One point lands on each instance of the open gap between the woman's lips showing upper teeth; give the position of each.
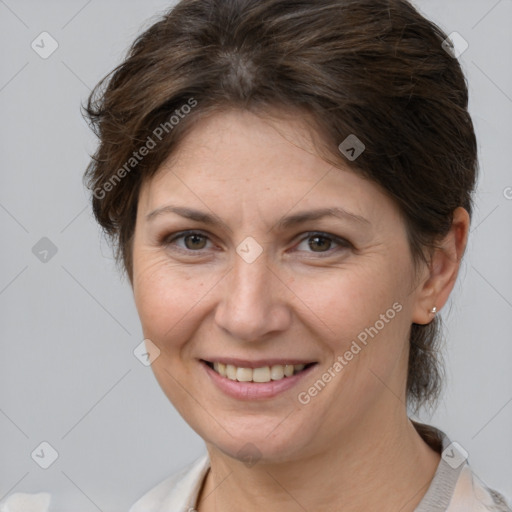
(261, 374)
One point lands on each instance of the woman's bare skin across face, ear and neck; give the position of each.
(296, 300)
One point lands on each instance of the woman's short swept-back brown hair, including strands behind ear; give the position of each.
(373, 68)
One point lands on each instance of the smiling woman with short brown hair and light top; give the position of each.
(289, 187)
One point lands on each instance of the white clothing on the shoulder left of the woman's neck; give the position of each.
(176, 492)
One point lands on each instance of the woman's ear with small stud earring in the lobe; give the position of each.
(439, 278)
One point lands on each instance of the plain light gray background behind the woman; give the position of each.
(68, 375)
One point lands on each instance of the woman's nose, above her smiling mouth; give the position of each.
(254, 301)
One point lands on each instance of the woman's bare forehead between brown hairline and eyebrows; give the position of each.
(238, 158)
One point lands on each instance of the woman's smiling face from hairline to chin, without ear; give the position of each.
(256, 285)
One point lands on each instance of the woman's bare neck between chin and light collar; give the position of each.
(387, 467)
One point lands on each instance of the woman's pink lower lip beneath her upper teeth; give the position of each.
(254, 390)
